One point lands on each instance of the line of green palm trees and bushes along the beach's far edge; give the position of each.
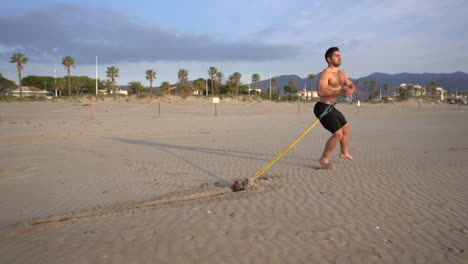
(215, 84)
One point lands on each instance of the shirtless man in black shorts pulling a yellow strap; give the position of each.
(332, 83)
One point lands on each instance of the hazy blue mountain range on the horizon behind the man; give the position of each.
(457, 81)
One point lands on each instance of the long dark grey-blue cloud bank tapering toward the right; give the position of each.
(83, 32)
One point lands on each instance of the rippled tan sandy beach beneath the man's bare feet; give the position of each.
(147, 181)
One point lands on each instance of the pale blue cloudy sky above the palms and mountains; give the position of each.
(254, 36)
